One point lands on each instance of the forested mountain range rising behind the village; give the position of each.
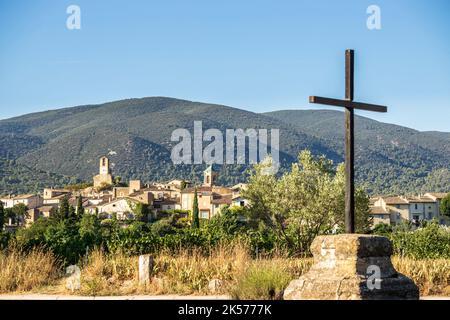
(58, 147)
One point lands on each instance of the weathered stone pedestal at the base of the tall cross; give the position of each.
(352, 267)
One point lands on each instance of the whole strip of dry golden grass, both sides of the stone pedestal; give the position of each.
(188, 272)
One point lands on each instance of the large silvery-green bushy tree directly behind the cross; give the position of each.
(303, 203)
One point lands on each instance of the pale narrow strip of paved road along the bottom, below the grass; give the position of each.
(137, 297)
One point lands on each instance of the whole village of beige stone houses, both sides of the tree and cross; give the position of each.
(108, 199)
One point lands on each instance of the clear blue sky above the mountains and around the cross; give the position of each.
(256, 55)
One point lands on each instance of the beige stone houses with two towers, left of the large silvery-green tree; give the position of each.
(107, 199)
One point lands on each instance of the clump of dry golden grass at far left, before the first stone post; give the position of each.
(20, 271)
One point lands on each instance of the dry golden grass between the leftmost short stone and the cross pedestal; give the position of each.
(189, 272)
